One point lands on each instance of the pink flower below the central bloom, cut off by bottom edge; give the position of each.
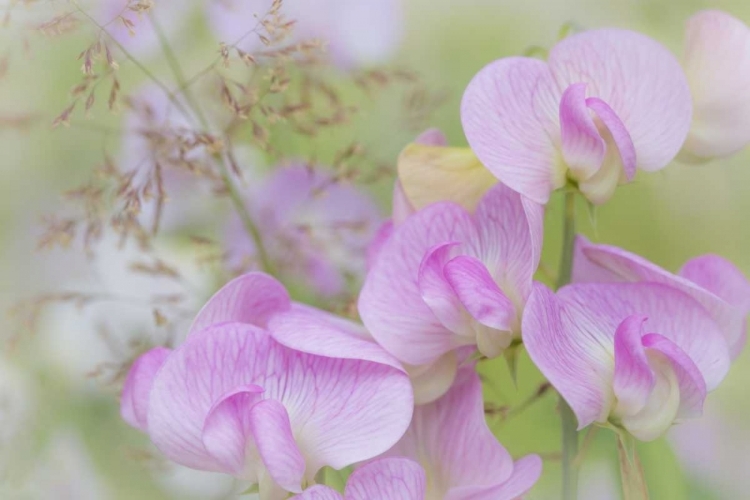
(463, 460)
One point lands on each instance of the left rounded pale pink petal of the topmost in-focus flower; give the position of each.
(506, 126)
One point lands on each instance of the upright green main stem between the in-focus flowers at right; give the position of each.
(568, 418)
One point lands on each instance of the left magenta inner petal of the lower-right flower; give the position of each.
(633, 379)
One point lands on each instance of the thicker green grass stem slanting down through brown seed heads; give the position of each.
(234, 194)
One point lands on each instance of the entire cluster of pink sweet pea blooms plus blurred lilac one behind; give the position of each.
(273, 391)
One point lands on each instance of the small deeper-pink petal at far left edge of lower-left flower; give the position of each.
(135, 392)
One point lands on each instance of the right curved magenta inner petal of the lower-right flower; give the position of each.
(691, 383)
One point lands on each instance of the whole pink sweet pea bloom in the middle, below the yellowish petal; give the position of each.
(447, 279)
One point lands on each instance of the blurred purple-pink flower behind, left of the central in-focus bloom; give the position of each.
(315, 229)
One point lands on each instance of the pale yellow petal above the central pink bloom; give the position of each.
(430, 174)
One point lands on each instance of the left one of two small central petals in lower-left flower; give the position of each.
(227, 431)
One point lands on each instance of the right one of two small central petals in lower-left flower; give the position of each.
(276, 444)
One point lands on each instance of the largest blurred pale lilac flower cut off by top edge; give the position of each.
(359, 33)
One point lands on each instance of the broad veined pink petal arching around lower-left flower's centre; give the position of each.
(341, 411)
